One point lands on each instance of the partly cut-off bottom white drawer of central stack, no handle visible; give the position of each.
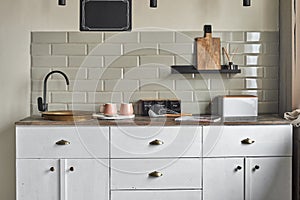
(157, 195)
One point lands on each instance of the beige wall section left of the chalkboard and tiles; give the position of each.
(18, 18)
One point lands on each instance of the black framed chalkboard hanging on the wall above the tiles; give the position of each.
(105, 15)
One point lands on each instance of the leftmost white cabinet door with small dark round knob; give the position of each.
(38, 179)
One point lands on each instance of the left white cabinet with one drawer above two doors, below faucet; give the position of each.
(62, 163)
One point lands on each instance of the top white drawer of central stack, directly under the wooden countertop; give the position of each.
(134, 142)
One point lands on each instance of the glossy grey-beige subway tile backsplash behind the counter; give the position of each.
(125, 67)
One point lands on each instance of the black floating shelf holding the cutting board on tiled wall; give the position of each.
(190, 69)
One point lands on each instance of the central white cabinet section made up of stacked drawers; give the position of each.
(164, 160)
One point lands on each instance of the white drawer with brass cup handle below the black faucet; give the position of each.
(81, 142)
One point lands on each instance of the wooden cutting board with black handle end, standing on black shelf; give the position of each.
(208, 51)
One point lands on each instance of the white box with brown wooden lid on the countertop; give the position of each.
(236, 106)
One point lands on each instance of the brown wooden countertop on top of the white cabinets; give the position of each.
(146, 121)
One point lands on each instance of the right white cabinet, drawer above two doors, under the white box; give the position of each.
(255, 162)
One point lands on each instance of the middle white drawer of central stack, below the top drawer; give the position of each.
(176, 173)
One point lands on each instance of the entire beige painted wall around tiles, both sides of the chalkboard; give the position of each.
(19, 17)
